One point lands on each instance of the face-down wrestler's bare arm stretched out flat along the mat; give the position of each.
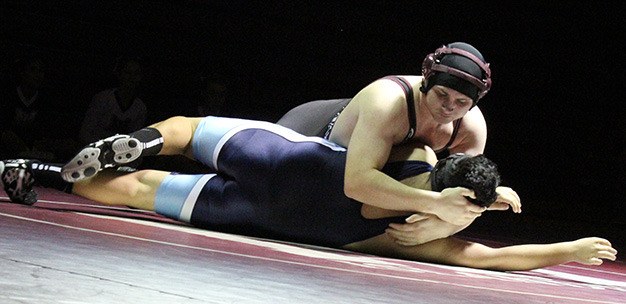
(455, 251)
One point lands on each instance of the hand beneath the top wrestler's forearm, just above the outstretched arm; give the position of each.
(419, 229)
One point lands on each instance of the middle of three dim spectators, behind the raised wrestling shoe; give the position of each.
(116, 110)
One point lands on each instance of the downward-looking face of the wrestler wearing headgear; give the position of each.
(447, 105)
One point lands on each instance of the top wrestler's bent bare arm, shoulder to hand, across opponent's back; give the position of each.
(377, 130)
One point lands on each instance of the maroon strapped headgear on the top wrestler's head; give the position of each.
(432, 63)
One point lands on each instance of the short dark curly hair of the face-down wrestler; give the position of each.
(477, 173)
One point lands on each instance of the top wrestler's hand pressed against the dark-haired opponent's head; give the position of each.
(455, 209)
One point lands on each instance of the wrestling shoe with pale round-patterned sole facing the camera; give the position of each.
(110, 152)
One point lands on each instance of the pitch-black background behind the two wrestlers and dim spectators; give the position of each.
(555, 115)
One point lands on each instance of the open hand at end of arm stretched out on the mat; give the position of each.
(591, 251)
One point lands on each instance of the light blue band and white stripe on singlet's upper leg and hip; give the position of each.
(213, 132)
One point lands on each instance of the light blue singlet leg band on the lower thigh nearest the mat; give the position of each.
(177, 195)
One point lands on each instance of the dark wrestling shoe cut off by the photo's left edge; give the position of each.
(17, 180)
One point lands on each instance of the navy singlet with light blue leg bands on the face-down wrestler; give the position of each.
(273, 183)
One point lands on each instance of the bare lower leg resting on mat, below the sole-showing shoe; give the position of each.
(137, 189)
